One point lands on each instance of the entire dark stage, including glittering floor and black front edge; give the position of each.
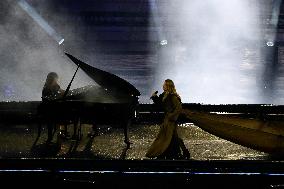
(105, 160)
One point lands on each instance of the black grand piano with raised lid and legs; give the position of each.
(112, 101)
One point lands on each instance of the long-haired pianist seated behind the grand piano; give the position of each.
(51, 90)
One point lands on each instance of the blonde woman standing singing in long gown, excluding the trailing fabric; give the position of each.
(168, 145)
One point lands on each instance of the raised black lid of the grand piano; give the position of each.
(105, 79)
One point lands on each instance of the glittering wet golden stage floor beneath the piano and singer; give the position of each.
(16, 141)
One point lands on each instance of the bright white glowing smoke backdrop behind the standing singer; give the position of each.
(211, 41)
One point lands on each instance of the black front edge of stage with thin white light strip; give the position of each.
(141, 174)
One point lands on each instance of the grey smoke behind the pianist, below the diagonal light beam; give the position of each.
(28, 54)
